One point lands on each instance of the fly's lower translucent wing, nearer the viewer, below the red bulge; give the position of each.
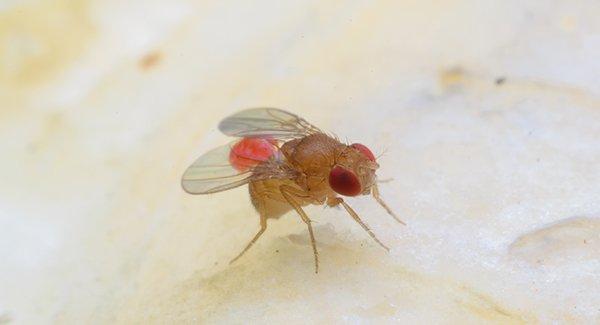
(213, 173)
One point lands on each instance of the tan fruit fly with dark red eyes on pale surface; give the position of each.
(287, 163)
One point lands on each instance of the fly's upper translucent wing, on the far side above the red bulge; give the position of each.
(266, 123)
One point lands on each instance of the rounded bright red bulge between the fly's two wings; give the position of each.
(250, 152)
